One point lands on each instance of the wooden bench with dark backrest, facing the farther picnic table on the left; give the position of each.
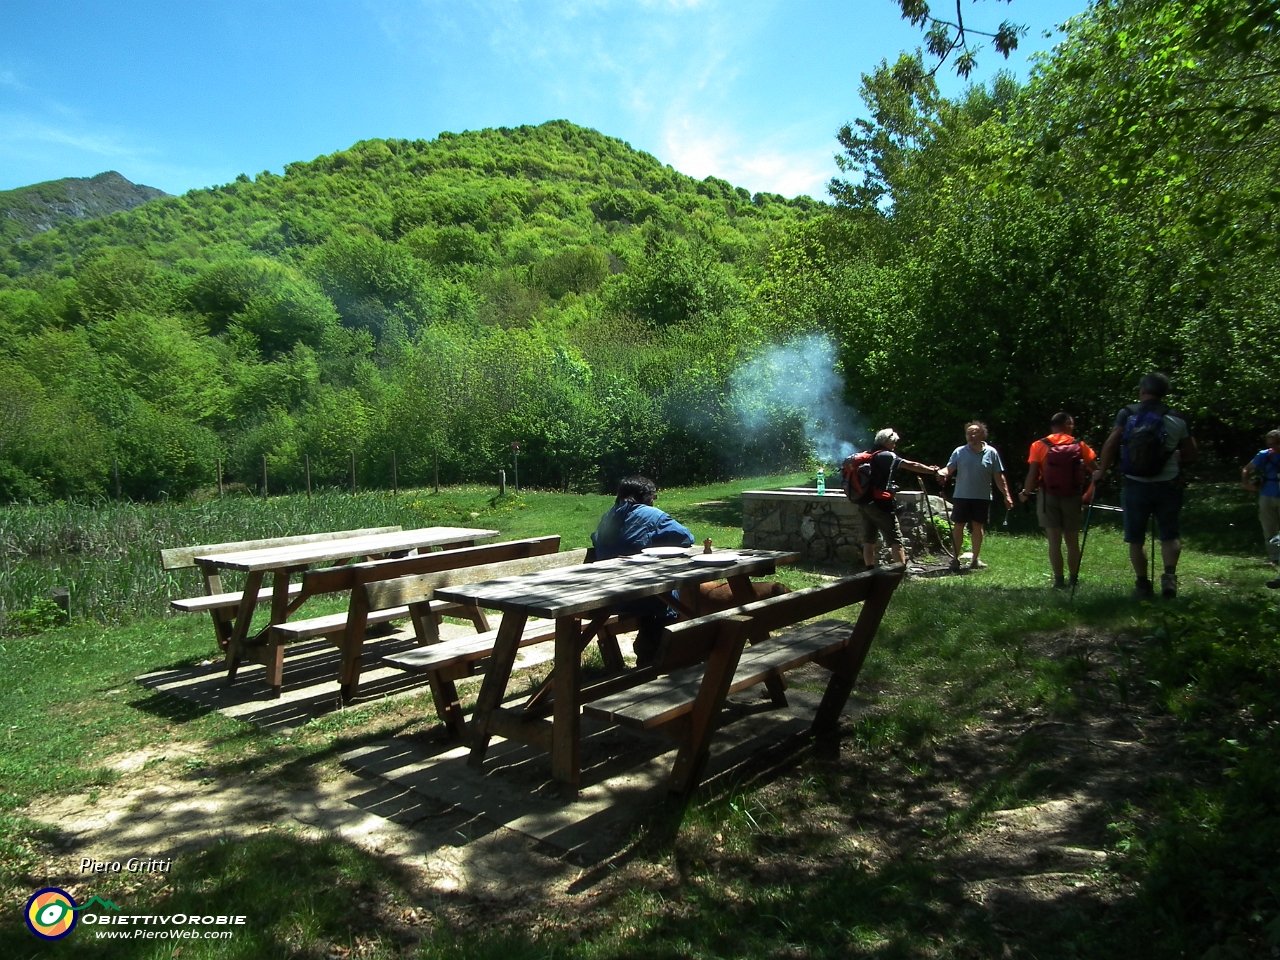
(349, 630)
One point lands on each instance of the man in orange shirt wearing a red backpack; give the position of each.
(1059, 474)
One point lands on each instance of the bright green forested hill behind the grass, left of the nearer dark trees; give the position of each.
(547, 285)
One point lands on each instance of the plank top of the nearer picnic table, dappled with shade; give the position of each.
(577, 591)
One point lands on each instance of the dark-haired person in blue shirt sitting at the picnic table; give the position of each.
(630, 525)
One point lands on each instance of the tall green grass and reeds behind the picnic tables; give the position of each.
(109, 552)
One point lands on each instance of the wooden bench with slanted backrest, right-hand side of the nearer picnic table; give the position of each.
(703, 661)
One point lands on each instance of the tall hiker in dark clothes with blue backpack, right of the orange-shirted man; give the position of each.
(1155, 444)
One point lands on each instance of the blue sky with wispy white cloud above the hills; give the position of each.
(182, 95)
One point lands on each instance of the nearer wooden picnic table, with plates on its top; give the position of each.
(569, 596)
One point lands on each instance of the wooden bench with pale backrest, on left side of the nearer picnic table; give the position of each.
(449, 661)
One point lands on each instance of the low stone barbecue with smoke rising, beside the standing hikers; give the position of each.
(825, 528)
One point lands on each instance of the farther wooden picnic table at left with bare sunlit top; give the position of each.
(284, 563)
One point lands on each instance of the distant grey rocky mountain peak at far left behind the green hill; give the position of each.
(43, 207)
